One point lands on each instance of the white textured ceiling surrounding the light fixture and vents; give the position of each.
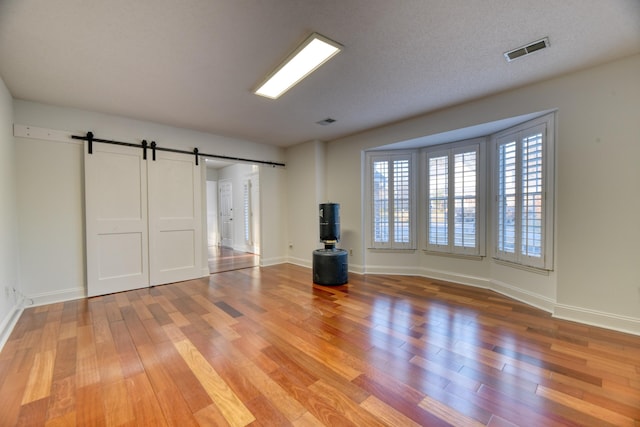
(193, 63)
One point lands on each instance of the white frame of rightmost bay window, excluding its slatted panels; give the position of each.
(545, 126)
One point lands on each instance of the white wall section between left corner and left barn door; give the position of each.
(51, 219)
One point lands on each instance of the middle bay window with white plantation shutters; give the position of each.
(454, 199)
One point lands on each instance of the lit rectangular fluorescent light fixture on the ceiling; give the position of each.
(315, 51)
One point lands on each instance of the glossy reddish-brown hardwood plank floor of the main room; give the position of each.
(265, 347)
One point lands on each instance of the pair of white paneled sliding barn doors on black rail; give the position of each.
(143, 219)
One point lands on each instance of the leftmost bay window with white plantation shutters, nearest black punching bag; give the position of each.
(392, 200)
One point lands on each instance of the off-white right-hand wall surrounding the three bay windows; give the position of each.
(597, 274)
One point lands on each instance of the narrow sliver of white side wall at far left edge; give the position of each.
(9, 275)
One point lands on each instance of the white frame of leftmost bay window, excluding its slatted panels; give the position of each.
(391, 156)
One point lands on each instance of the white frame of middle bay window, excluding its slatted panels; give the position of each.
(450, 150)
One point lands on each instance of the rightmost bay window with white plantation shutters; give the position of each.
(523, 185)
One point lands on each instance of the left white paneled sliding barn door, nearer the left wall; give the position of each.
(116, 219)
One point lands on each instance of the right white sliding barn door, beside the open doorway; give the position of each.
(175, 218)
